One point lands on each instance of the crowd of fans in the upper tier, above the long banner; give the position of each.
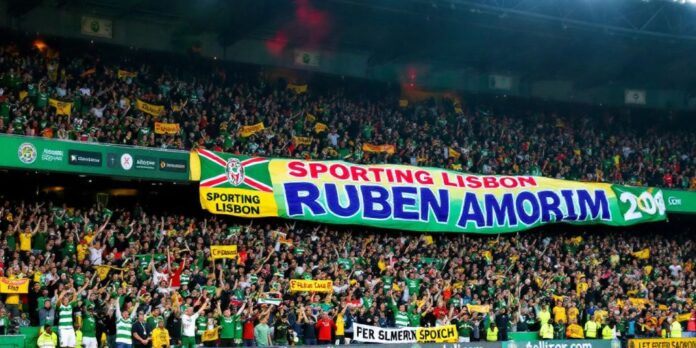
(211, 104)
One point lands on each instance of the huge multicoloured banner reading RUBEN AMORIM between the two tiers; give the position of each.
(413, 198)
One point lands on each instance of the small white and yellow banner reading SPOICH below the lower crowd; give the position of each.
(373, 334)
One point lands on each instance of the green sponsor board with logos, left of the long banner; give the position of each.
(36, 153)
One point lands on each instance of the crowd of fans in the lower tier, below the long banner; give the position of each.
(161, 283)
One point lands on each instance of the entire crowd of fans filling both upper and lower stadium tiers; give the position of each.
(142, 279)
